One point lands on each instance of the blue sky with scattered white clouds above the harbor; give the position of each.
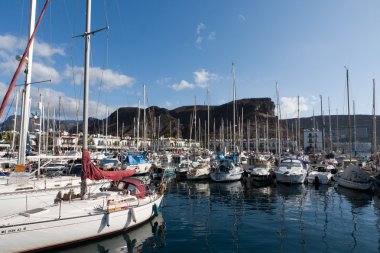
(179, 49)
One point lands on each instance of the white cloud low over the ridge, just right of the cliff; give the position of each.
(289, 106)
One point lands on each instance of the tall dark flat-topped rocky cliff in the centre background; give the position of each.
(167, 120)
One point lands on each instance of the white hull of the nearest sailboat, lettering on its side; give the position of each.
(77, 223)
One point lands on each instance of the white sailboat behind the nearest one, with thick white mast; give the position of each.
(20, 190)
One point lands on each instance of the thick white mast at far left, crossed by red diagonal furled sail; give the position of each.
(28, 78)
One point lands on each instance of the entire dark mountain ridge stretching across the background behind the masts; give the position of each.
(167, 121)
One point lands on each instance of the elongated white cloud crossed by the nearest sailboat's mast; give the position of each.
(106, 78)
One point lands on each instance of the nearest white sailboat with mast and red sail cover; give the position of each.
(126, 203)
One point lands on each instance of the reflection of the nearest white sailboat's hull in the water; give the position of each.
(149, 235)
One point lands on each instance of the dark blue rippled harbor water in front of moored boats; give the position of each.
(242, 217)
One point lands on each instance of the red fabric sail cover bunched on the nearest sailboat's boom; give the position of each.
(90, 171)
